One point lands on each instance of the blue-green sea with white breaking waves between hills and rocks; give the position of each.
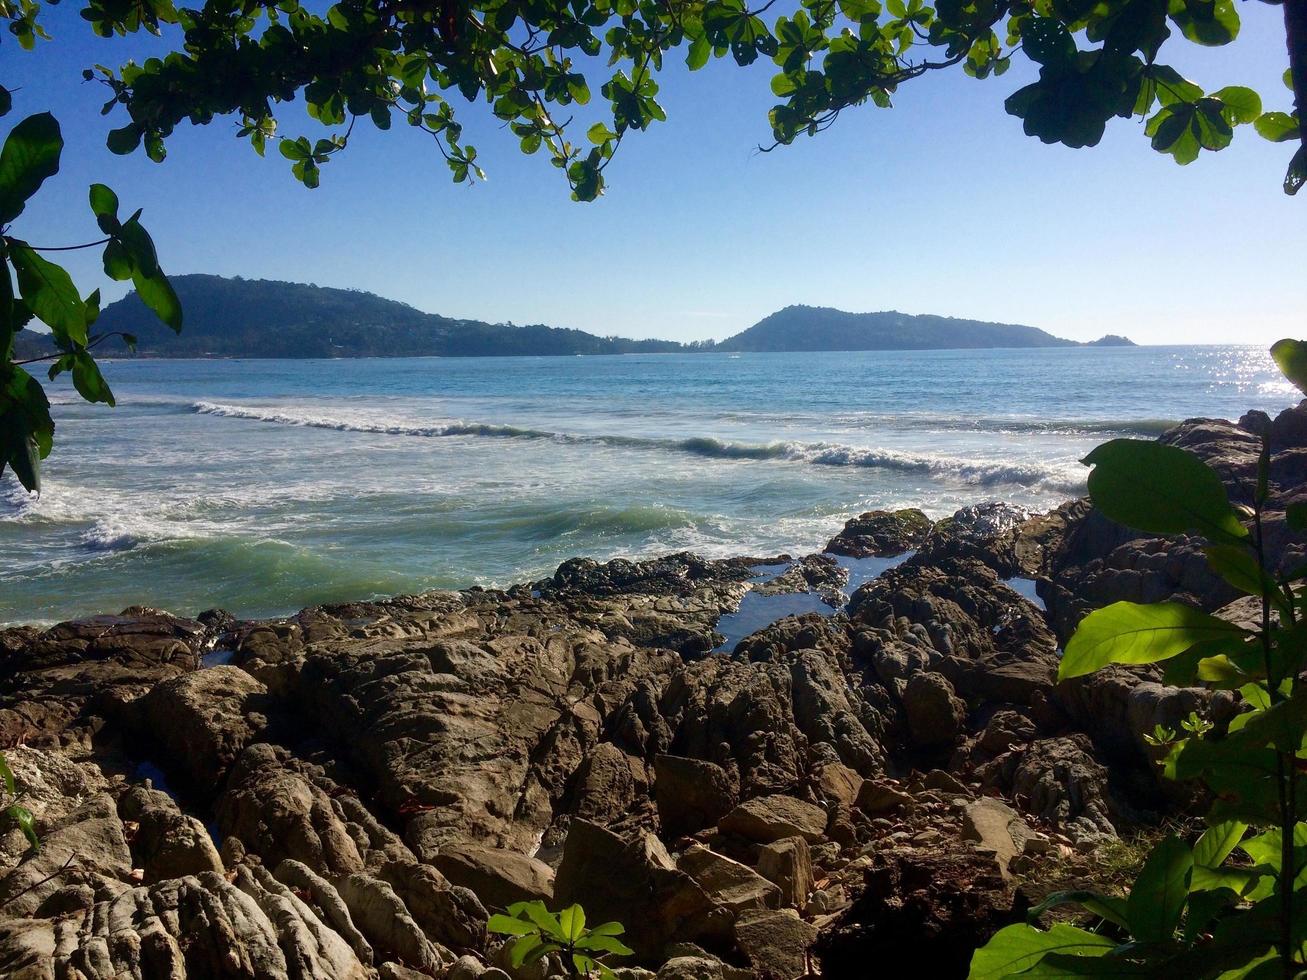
(263, 487)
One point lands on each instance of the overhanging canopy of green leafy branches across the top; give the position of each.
(539, 65)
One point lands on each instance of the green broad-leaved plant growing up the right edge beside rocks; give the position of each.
(1193, 911)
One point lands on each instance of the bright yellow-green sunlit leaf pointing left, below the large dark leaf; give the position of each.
(1127, 633)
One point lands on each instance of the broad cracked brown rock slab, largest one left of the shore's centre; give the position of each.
(505, 711)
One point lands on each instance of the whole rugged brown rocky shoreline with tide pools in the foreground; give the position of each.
(352, 791)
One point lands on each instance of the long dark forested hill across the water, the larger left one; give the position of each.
(261, 318)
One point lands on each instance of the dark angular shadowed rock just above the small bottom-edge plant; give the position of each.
(635, 883)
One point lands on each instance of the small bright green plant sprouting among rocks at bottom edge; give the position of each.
(540, 934)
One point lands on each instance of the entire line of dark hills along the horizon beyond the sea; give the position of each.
(239, 318)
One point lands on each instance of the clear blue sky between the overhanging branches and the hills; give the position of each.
(939, 206)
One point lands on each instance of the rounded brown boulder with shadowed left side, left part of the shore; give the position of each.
(202, 722)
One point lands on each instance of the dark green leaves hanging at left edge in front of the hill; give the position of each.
(35, 288)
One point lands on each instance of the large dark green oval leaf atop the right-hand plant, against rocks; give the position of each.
(1161, 489)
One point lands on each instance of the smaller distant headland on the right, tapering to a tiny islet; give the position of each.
(821, 329)
